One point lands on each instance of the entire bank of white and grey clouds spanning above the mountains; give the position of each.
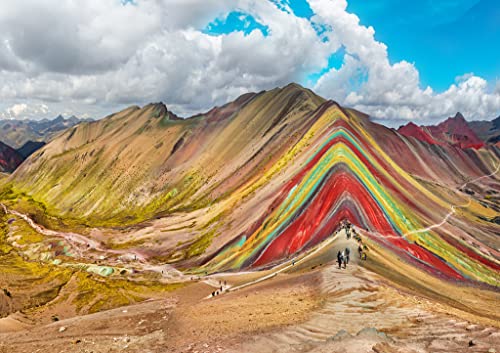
(96, 56)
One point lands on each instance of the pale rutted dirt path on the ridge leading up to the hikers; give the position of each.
(362, 314)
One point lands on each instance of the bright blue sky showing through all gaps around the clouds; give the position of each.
(442, 38)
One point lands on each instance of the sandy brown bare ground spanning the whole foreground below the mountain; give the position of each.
(313, 306)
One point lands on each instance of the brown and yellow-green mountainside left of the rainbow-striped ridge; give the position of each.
(145, 161)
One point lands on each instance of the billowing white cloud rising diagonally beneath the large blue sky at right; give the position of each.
(392, 91)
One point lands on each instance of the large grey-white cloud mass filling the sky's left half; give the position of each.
(100, 52)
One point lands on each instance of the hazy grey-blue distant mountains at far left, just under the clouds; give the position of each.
(16, 133)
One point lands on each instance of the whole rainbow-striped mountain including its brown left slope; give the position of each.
(258, 180)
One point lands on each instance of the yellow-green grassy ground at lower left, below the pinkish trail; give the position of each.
(33, 284)
